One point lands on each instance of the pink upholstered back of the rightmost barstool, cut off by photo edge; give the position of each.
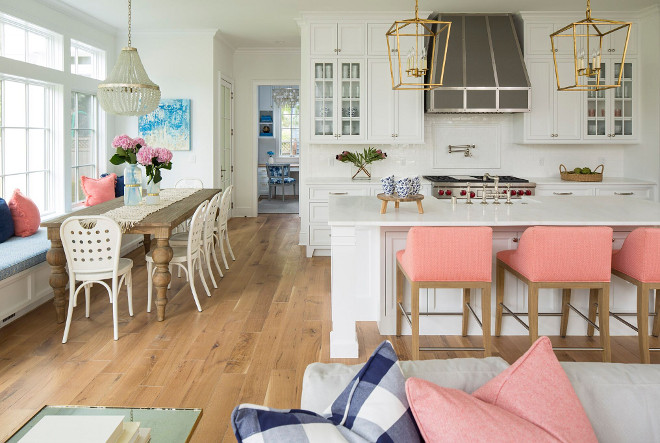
(639, 257)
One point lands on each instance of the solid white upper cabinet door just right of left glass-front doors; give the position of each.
(380, 103)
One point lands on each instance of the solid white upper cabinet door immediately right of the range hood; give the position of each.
(540, 121)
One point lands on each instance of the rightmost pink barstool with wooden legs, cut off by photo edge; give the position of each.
(638, 261)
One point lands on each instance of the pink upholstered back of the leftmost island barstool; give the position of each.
(448, 254)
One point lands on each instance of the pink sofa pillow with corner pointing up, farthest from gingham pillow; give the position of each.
(537, 389)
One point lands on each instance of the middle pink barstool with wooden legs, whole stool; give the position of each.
(565, 258)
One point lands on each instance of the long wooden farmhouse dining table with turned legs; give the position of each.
(159, 224)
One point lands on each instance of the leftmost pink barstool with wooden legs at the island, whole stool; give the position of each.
(452, 257)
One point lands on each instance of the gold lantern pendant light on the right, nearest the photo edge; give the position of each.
(587, 40)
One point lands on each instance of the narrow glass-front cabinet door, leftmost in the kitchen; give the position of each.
(323, 100)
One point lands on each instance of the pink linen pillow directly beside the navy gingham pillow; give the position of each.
(451, 415)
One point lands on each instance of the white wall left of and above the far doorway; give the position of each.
(251, 68)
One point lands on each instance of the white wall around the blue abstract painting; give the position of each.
(182, 64)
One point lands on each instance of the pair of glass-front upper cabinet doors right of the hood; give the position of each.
(610, 114)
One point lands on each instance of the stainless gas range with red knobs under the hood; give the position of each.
(446, 187)
